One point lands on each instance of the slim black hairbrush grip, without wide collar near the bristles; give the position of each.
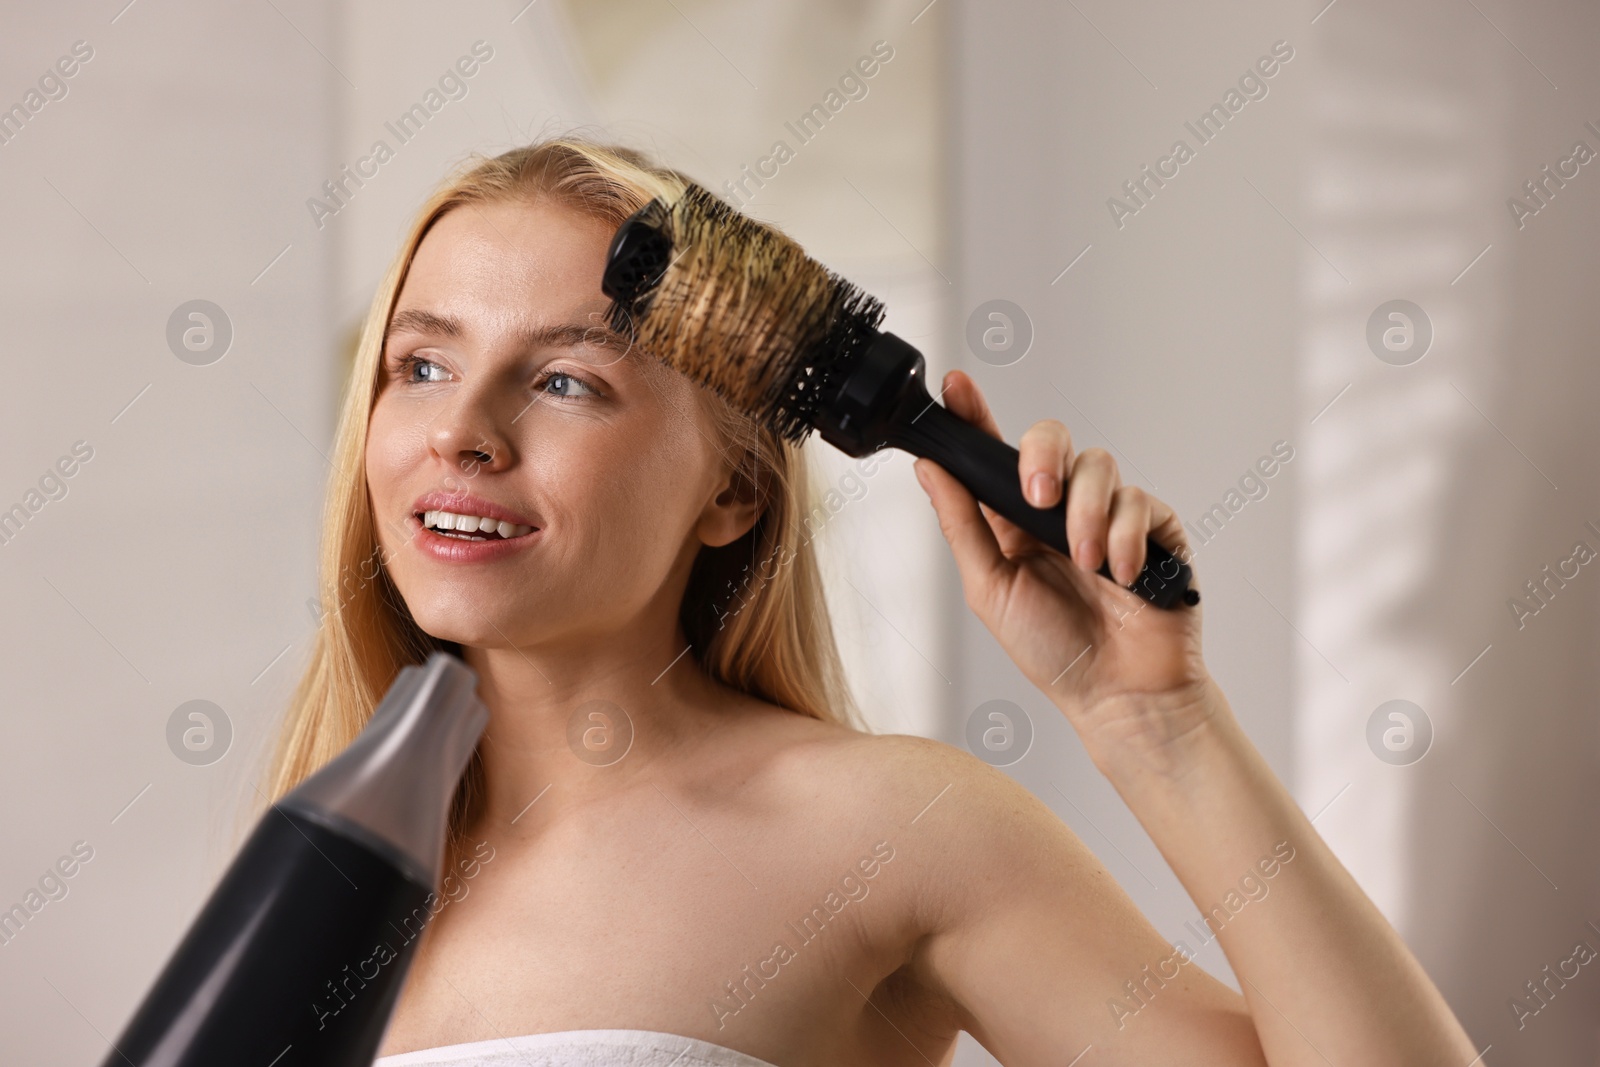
(990, 471)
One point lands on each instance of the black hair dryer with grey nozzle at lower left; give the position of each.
(298, 957)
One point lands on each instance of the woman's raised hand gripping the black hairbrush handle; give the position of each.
(1122, 671)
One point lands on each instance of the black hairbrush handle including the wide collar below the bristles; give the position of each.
(886, 402)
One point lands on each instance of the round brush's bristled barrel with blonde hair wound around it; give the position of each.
(746, 313)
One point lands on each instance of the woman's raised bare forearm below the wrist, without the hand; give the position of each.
(1327, 978)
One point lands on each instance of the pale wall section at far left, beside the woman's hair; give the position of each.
(178, 564)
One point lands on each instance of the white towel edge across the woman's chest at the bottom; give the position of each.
(578, 1049)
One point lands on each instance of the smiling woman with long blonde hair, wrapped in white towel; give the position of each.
(735, 874)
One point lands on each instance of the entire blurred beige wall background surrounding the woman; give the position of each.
(1369, 270)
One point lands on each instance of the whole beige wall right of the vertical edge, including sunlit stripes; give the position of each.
(1231, 311)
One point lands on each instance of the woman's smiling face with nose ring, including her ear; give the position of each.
(505, 398)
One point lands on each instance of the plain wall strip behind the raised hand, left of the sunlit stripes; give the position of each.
(1166, 337)
